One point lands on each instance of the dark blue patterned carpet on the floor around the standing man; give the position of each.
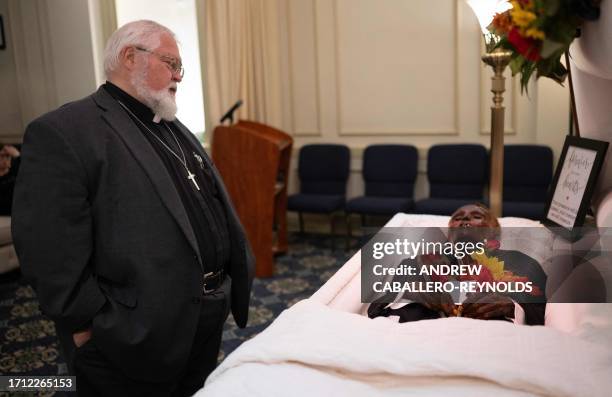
(28, 345)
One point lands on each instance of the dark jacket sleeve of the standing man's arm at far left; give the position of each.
(52, 227)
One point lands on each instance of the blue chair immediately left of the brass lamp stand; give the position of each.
(457, 176)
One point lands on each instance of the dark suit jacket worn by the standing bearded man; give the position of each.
(101, 230)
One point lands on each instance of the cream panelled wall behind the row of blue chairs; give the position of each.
(360, 72)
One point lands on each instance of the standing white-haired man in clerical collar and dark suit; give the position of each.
(126, 230)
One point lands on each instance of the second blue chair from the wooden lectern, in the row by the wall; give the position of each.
(389, 173)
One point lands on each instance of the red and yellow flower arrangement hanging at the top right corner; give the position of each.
(539, 32)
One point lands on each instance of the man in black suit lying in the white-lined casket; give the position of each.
(475, 223)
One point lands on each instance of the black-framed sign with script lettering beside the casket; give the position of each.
(572, 186)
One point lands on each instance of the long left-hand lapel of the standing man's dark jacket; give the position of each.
(140, 148)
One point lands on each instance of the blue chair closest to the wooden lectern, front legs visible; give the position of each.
(323, 171)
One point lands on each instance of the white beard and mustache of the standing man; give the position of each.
(161, 102)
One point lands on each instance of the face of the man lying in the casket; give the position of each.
(472, 223)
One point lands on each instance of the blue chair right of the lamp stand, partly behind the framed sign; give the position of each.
(527, 176)
